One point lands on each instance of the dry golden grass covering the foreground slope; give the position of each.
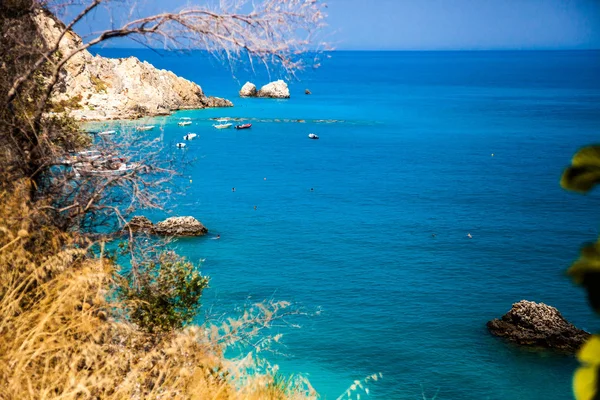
(61, 337)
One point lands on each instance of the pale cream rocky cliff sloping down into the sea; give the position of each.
(99, 88)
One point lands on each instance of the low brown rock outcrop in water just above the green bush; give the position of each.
(174, 226)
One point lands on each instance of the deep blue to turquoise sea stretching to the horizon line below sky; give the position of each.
(412, 144)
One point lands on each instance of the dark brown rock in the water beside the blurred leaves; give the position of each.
(539, 325)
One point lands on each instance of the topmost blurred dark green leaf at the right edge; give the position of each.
(584, 172)
